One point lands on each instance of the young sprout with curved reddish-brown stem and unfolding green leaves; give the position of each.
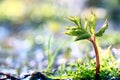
(87, 31)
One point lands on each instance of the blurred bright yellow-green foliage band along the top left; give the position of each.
(22, 10)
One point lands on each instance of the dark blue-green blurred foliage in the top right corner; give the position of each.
(112, 8)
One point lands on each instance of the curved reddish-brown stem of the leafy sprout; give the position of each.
(93, 41)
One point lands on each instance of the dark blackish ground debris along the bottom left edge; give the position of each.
(33, 76)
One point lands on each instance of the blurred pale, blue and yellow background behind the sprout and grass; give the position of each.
(26, 26)
